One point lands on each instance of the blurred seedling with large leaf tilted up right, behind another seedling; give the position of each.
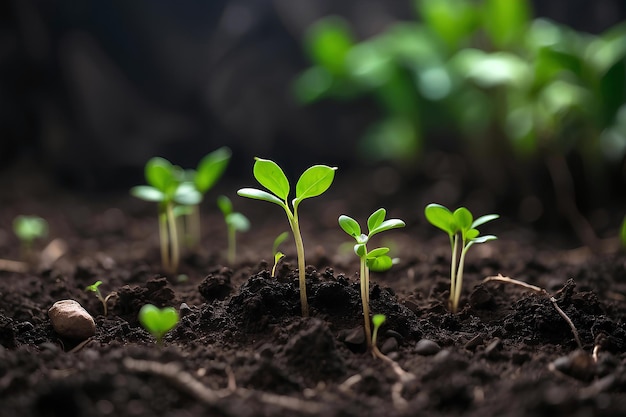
(210, 169)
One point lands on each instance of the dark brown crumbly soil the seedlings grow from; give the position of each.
(242, 349)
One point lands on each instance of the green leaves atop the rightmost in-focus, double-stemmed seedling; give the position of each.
(460, 221)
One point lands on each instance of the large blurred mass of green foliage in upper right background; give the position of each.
(482, 70)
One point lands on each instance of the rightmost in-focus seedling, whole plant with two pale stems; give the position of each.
(461, 228)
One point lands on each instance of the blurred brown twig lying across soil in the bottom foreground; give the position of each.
(184, 380)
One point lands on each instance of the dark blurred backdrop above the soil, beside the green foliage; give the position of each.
(90, 89)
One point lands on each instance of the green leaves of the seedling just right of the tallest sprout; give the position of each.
(376, 259)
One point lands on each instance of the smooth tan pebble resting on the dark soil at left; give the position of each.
(71, 320)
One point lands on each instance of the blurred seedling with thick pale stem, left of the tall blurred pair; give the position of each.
(167, 187)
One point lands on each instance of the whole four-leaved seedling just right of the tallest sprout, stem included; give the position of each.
(374, 260)
